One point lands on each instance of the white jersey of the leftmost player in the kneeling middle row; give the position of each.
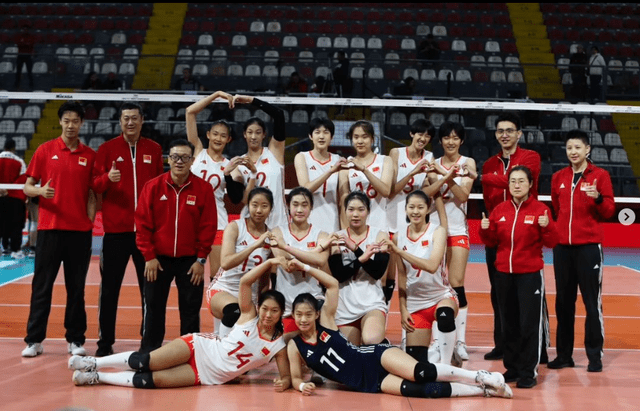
(229, 280)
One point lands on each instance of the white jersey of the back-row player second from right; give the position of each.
(396, 213)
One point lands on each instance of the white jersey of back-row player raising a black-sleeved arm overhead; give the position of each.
(270, 175)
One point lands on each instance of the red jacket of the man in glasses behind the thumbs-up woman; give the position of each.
(495, 187)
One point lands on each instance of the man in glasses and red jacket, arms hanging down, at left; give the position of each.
(176, 222)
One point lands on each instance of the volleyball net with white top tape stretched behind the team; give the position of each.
(30, 118)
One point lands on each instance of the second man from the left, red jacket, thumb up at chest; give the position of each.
(123, 166)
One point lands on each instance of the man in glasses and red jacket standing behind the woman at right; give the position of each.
(495, 189)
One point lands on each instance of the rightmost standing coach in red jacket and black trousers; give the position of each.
(582, 197)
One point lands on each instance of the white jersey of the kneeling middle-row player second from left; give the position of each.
(298, 282)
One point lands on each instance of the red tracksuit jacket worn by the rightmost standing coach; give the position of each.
(578, 215)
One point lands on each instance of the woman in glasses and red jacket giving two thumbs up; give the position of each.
(519, 228)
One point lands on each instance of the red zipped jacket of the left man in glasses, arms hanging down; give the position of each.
(176, 221)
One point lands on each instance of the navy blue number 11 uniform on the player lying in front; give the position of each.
(335, 358)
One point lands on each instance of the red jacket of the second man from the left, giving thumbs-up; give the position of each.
(119, 199)
